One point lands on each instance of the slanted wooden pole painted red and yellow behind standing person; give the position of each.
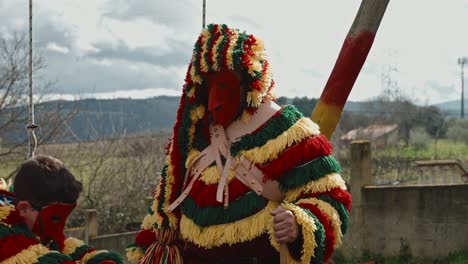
(352, 56)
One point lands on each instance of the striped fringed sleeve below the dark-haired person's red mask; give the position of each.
(77, 250)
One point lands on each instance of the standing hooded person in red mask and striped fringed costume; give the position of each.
(242, 174)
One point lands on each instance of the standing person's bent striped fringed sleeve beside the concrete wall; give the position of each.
(314, 191)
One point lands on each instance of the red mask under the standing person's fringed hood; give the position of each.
(224, 97)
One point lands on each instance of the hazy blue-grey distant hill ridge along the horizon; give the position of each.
(104, 118)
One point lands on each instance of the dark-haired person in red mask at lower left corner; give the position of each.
(33, 216)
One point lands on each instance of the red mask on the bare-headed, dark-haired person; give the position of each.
(50, 223)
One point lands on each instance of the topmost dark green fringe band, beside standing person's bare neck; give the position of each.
(272, 129)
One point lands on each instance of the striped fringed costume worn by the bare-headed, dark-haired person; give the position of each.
(18, 245)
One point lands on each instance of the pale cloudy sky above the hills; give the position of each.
(140, 48)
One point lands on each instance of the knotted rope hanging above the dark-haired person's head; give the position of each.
(31, 126)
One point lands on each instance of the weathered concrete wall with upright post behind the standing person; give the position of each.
(433, 219)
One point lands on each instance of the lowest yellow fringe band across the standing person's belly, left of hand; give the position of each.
(230, 233)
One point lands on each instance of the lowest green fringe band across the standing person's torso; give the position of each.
(239, 209)
